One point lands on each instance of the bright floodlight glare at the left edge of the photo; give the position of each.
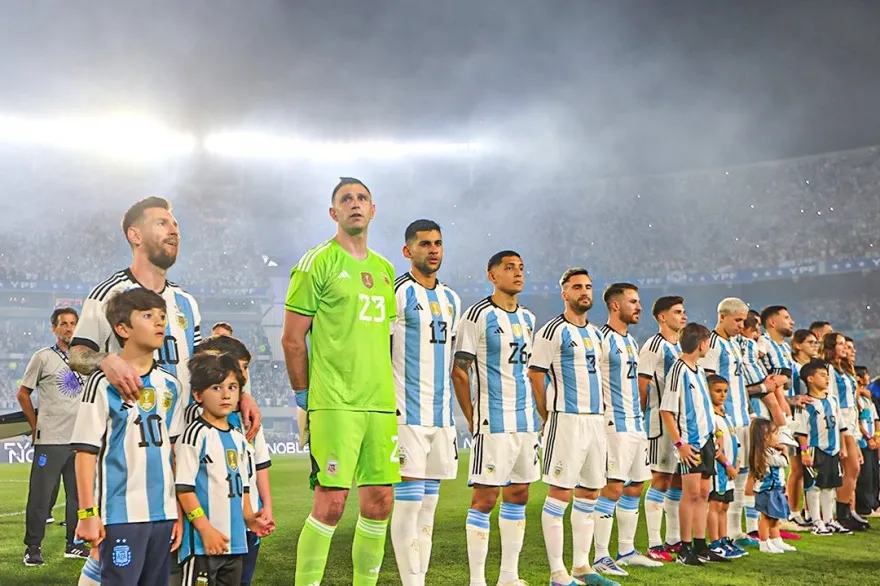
(122, 136)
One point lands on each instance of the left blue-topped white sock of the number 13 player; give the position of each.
(408, 497)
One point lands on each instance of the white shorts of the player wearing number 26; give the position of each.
(499, 459)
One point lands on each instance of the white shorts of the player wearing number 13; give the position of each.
(428, 452)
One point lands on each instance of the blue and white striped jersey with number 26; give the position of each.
(500, 343)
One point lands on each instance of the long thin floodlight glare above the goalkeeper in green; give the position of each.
(265, 146)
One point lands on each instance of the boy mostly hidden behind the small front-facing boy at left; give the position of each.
(258, 452)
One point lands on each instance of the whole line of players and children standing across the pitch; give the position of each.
(721, 424)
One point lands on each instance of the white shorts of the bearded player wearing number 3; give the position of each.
(574, 451)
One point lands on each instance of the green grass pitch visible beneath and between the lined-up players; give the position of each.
(828, 560)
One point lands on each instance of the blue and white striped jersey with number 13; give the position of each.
(421, 351)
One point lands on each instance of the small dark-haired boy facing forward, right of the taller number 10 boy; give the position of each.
(212, 479)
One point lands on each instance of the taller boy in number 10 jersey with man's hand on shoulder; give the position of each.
(128, 448)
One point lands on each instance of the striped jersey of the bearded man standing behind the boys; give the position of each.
(182, 332)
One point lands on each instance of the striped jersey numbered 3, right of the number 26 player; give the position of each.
(570, 355)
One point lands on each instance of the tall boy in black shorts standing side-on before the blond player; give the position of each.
(687, 414)
